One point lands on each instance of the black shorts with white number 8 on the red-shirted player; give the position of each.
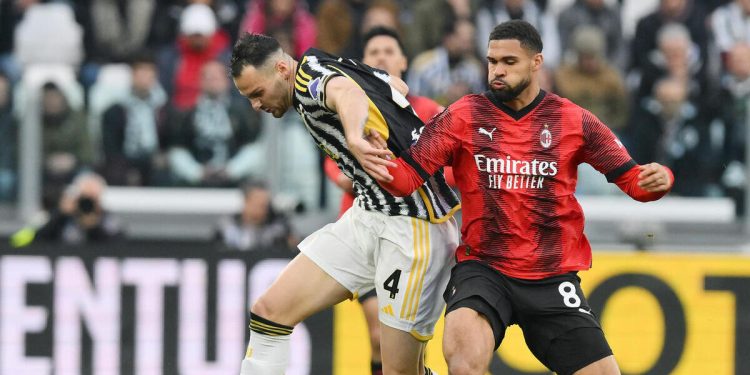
(557, 323)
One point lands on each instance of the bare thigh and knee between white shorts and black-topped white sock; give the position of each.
(301, 290)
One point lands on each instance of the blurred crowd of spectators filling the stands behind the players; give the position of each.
(138, 91)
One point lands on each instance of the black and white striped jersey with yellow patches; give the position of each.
(389, 113)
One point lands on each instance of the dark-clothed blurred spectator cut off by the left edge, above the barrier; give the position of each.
(8, 141)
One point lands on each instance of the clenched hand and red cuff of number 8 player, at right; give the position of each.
(646, 183)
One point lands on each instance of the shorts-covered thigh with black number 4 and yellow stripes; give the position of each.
(413, 265)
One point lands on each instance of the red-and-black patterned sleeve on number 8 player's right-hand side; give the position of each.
(602, 150)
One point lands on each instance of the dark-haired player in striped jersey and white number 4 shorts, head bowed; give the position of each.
(400, 245)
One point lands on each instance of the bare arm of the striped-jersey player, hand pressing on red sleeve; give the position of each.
(350, 102)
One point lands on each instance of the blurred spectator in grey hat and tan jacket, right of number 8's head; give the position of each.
(591, 81)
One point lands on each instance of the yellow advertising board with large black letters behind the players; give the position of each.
(664, 313)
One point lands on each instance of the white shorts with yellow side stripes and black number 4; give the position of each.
(407, 260)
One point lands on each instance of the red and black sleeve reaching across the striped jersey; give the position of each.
(434, 149)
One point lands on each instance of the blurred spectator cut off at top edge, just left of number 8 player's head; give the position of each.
(426, 29)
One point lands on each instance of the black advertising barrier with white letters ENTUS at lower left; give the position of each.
(141, 308)
